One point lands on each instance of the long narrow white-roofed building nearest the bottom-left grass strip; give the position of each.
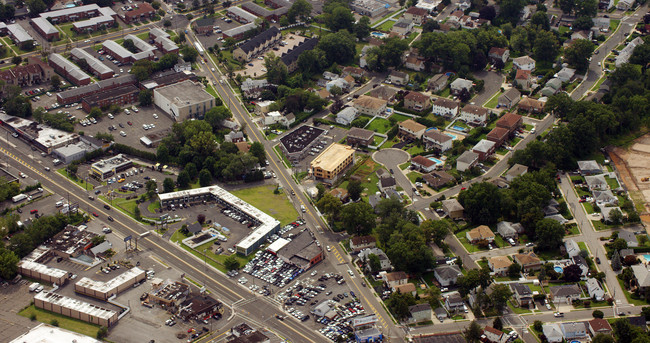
(76, 309)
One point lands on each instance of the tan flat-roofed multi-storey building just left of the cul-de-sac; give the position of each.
(332, 162)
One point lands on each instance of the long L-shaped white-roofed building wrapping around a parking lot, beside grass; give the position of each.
(266, 225)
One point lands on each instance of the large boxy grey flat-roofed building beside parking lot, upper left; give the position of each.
(183, 100)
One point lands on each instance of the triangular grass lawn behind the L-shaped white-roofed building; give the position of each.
(275, 205)
